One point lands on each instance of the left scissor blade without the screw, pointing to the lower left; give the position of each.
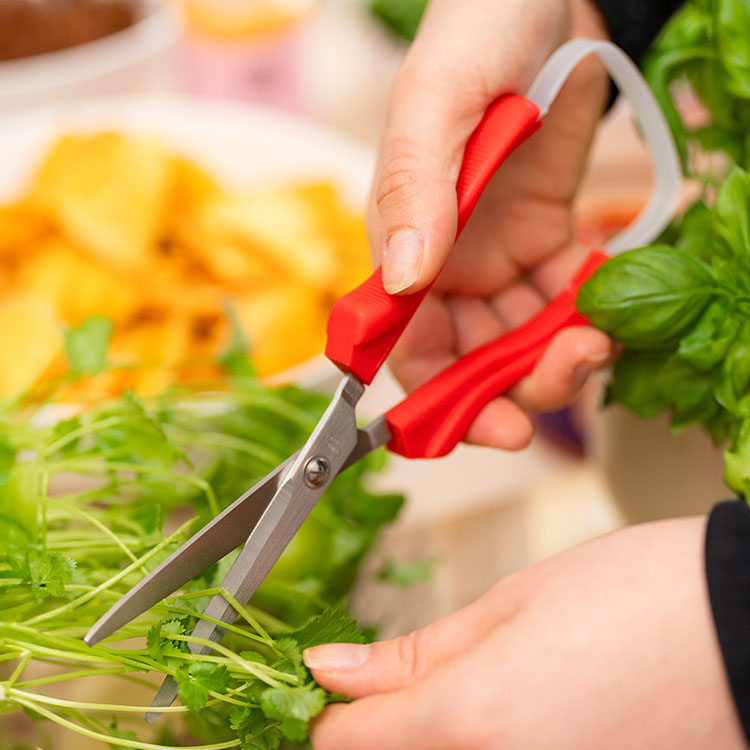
(215, 540)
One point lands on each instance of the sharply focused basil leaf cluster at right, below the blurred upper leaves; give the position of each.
(686, 323)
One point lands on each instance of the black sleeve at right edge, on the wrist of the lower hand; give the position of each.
(728, 576)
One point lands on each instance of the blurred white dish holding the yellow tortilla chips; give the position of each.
(241, 144)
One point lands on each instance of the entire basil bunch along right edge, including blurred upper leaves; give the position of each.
(682, 307)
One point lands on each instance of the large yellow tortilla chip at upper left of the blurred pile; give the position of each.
(107, 193)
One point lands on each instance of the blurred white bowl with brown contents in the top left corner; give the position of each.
(135, 60)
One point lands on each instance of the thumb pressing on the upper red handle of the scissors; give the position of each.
(465, 55)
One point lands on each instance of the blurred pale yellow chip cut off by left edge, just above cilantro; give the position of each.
(30, 341)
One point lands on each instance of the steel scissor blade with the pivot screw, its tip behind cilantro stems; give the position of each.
(333, 442)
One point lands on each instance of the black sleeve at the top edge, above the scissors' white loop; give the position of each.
(634, 24)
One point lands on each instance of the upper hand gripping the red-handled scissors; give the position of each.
(517, 250)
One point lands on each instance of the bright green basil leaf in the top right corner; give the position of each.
(733, 44)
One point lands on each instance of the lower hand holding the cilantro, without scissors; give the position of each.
(609, 645)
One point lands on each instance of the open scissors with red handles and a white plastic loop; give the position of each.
(363, 327)
